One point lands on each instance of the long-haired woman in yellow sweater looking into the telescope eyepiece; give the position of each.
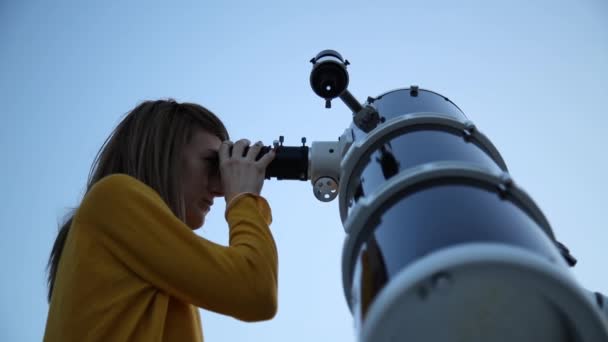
(127, 265)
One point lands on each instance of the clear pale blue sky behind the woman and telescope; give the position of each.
(532, 75)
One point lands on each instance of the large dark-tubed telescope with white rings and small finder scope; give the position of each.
(441, 244)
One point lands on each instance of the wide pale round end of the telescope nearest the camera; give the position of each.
(483, 292)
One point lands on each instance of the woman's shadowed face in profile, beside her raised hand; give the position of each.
(200, 177)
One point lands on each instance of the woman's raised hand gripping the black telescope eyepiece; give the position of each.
(241, 172)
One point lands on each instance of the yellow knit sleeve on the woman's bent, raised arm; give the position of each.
(137, 227)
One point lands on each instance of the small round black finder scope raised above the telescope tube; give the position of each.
(329, 78)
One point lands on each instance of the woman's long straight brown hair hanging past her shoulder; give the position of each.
(146, 145)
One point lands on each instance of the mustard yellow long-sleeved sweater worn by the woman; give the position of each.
(132, 271)
